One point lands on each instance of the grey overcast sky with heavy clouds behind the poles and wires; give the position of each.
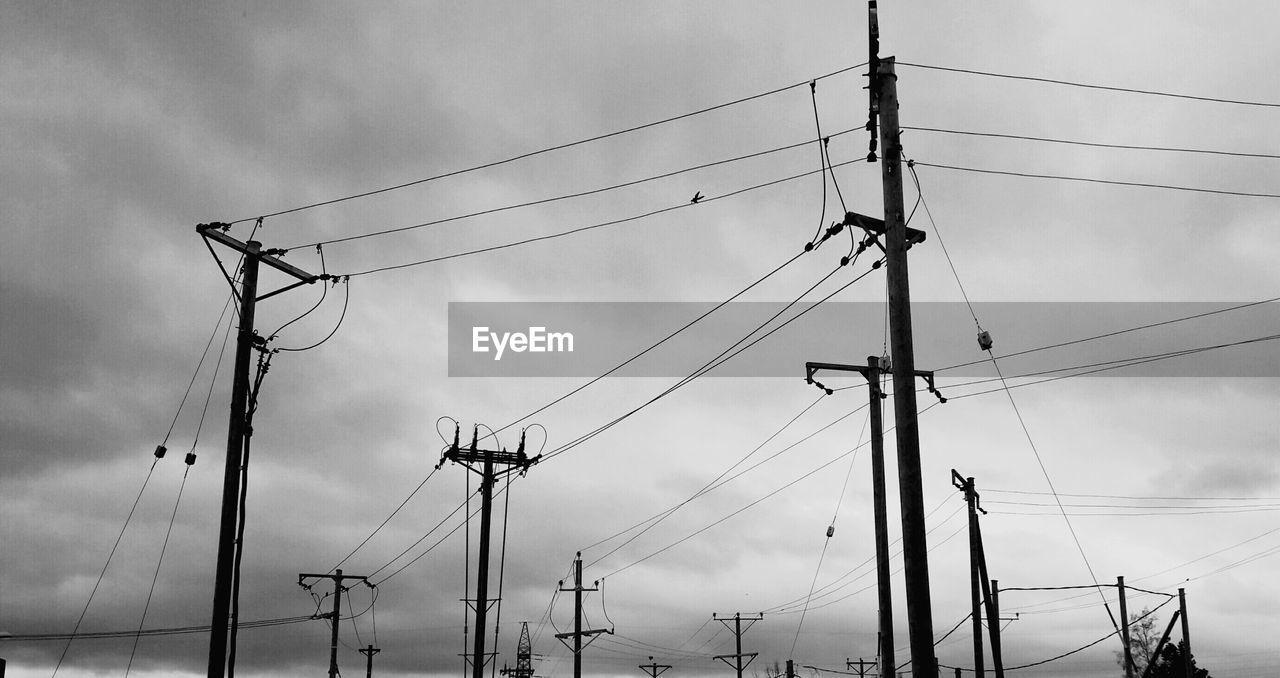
(125, 125)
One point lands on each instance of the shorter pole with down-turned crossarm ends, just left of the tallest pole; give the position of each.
(872, 372)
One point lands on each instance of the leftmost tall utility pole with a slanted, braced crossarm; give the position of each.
(239, 432)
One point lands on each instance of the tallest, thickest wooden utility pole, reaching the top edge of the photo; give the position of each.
(920, 610)
